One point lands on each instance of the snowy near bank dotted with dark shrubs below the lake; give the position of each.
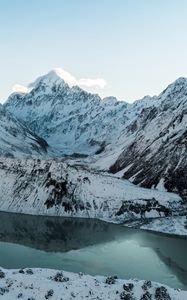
(39, 284)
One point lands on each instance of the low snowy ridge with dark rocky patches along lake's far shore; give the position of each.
(49, 187)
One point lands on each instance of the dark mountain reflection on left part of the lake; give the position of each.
(55, 233)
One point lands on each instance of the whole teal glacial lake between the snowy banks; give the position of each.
(92, 247)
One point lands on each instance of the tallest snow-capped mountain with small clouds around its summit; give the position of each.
(69, 117)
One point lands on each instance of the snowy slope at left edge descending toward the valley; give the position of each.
(16, 140)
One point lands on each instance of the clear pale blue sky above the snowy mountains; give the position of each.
(137, 46)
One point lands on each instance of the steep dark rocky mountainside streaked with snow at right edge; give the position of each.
(155, 145)
